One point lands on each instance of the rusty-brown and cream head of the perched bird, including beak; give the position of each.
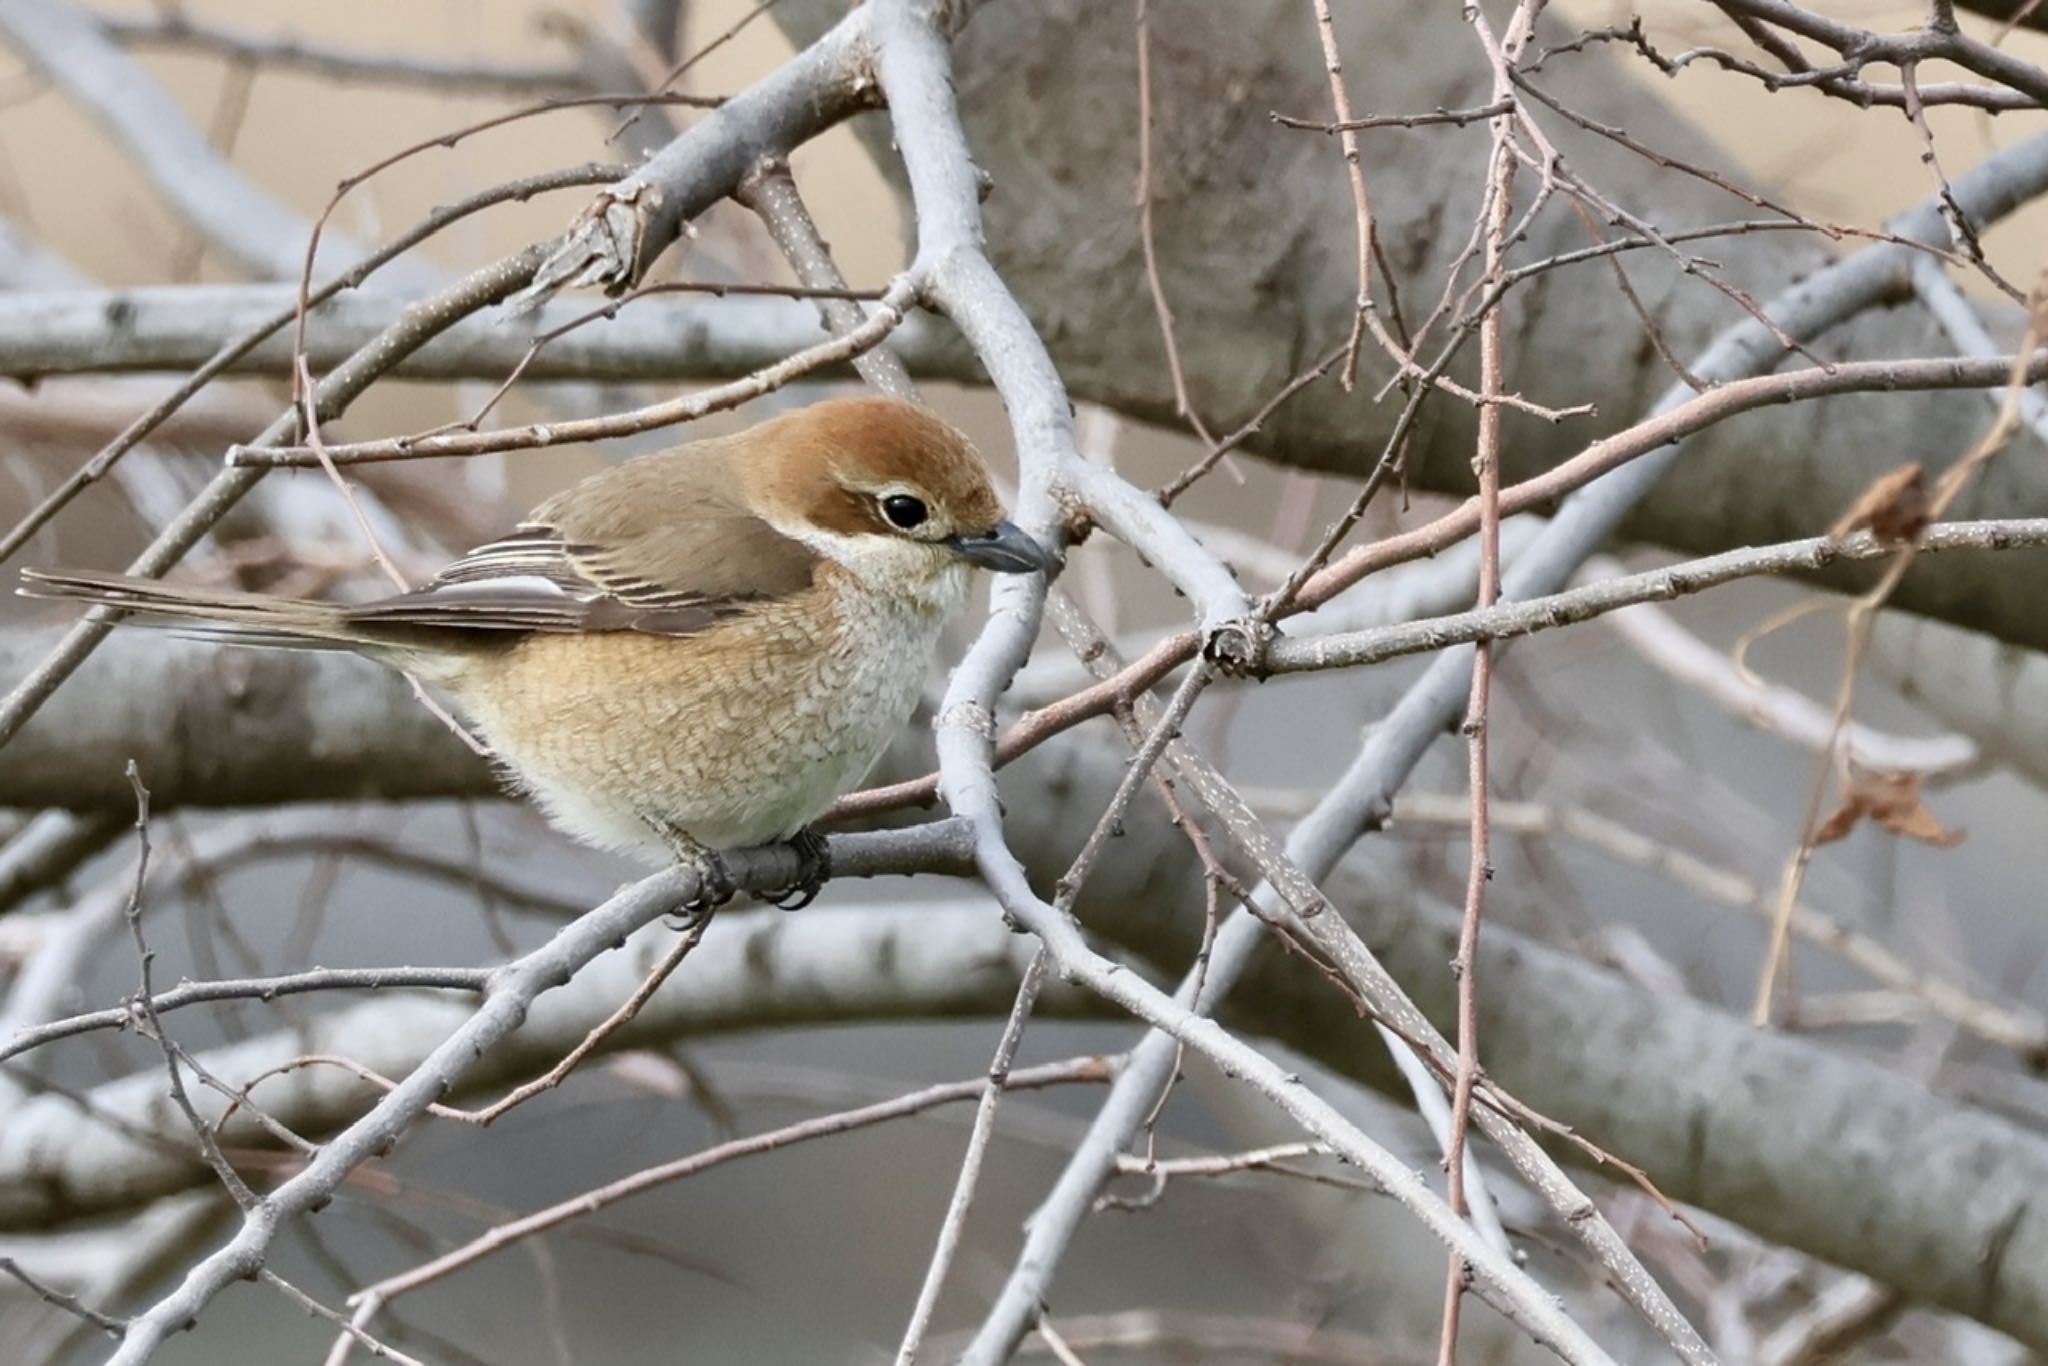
(888, 493)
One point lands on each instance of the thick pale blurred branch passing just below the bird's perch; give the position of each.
(755, 972)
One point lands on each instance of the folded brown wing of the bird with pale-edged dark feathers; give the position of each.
(546, 579)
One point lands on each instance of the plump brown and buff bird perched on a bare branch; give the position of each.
(687, 652)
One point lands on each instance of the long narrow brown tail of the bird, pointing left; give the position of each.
(249, 620)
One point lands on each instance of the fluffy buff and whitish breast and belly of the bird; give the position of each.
(740, 734)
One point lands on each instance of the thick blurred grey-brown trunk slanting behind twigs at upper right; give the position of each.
(1256, 232)
